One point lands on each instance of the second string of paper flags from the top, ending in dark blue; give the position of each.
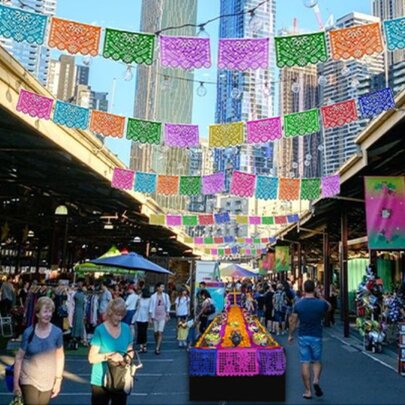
(254, 132)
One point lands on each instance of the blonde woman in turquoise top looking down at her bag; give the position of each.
(111, 340)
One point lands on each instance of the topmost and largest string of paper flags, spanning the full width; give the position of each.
(194, 52)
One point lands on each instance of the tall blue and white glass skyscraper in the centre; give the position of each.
(243, 96)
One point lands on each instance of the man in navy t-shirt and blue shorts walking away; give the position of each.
(309, 311)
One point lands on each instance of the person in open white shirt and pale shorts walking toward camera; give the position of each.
(159, 311)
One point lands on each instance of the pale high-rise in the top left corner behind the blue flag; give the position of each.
(33, 57)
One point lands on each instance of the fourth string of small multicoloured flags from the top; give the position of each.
(219, 219)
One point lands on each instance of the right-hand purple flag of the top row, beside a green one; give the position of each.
(243, 54)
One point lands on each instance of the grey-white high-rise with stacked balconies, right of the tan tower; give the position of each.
(345, 81)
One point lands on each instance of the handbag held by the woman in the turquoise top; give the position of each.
(119, 377)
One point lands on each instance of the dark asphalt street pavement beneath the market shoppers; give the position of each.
(350, 376)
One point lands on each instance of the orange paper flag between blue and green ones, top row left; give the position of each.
(74, 37)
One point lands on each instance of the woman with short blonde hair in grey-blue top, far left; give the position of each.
(39, 362)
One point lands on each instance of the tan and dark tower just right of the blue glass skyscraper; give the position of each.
(299, 156)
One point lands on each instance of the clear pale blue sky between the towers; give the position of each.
(126, 14)
